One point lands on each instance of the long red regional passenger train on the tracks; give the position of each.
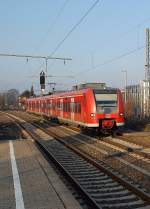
(101, 109)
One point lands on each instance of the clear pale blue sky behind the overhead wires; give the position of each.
(112, 28)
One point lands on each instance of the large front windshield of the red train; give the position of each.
(106, 103)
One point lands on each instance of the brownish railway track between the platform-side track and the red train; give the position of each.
(127, 163)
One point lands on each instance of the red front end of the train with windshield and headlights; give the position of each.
(109, 108)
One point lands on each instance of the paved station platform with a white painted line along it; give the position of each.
(27, 181)
